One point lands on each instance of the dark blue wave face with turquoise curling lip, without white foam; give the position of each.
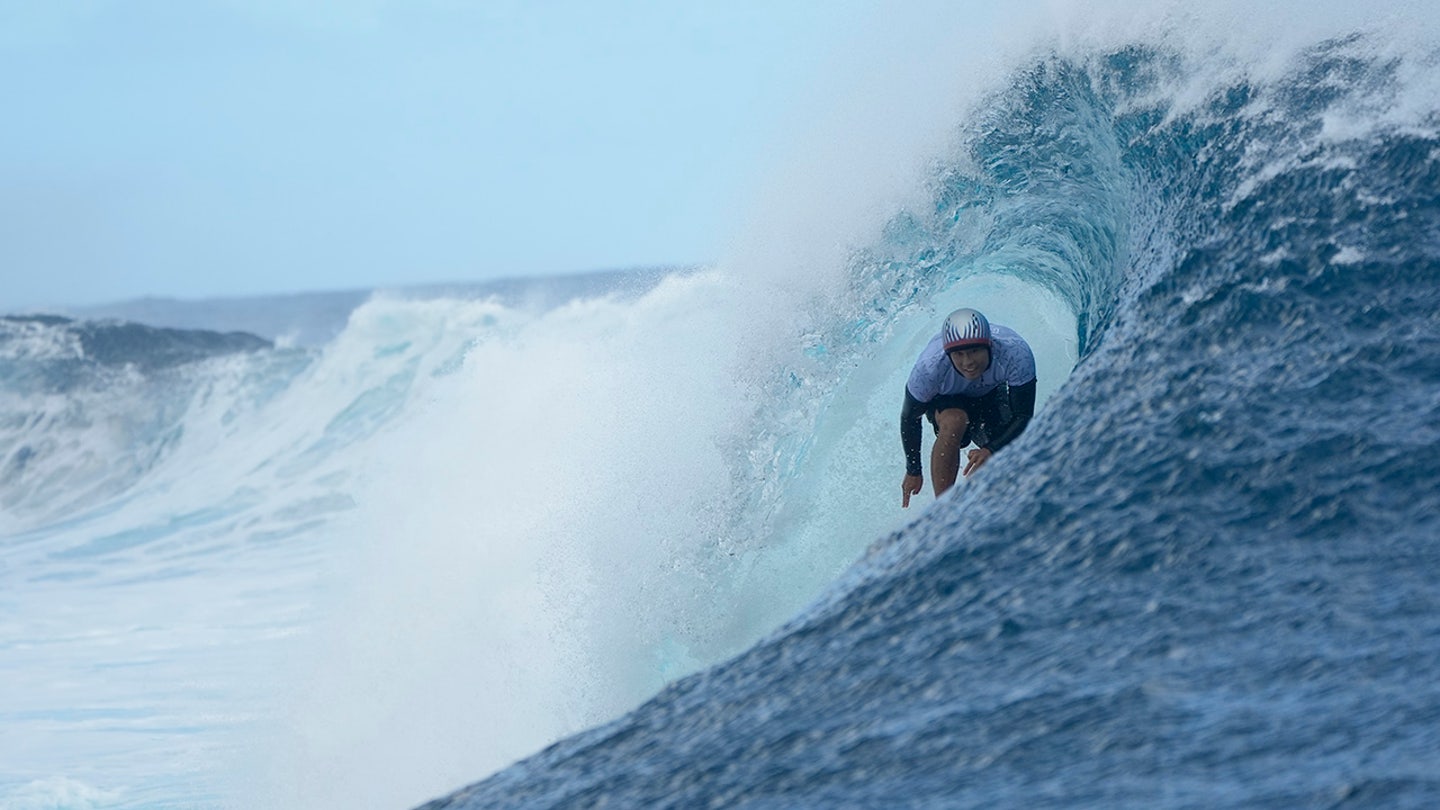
(1209, 576)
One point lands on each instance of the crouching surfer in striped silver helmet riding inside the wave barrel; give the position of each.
(977, 384)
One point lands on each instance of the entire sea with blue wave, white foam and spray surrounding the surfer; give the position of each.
(634, 540)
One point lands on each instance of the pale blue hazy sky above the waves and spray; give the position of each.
(218, 148)
